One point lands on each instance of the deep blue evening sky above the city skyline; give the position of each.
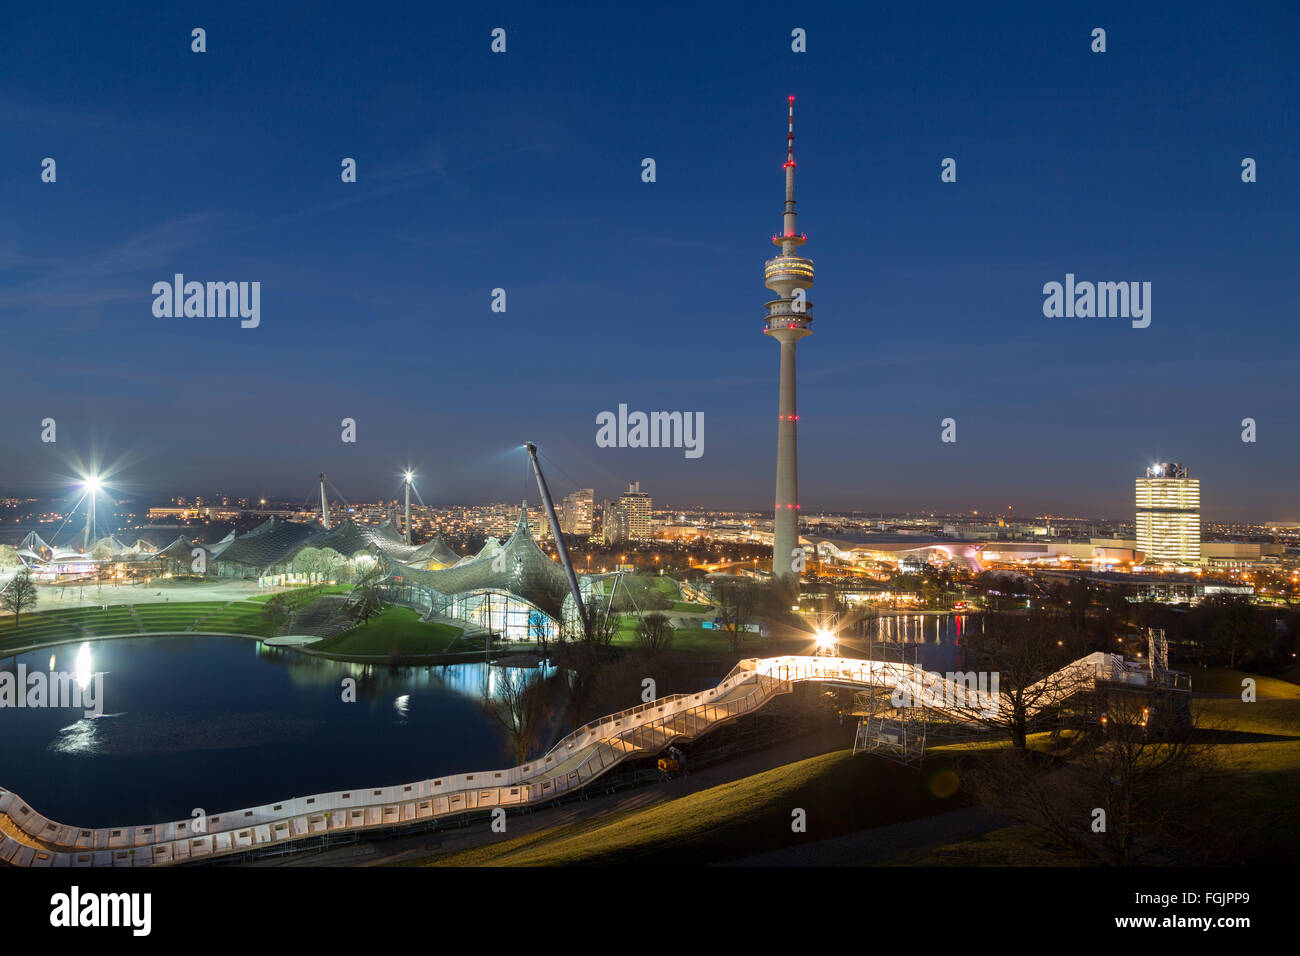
(523, 171)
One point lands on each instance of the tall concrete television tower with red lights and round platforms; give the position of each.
(788, 275)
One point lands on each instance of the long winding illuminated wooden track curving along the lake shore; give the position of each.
(31, 840)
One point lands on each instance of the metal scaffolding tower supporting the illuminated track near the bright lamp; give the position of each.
(894, 732)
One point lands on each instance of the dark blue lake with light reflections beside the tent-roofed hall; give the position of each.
(224, 724)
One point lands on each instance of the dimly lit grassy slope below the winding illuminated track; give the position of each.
(840, 794)
